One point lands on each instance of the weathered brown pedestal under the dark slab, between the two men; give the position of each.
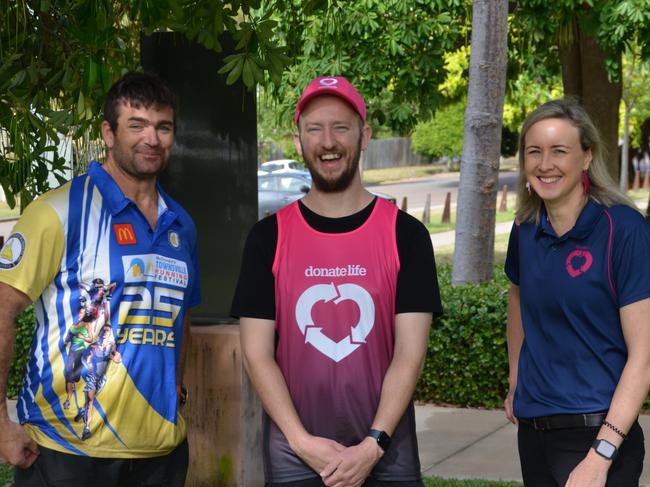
(223, 413)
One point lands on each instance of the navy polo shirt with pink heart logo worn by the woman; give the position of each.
(571, 289)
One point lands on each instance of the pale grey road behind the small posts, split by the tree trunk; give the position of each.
(438, 186)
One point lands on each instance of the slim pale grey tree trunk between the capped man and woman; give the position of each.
(479, 171)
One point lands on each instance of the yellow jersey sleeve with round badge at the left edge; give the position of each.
(31, 256)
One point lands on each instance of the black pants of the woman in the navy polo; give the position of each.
(548, 457)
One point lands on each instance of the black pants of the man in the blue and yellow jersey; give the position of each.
(56, 469)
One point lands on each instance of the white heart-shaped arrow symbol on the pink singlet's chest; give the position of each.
(314, 335)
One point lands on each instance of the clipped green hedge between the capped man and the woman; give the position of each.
(467, 358)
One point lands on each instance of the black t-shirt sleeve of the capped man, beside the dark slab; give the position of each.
(255, 291)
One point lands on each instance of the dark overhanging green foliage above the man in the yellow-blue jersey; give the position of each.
(58, 59)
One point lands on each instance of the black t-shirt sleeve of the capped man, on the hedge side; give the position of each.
(417, 281)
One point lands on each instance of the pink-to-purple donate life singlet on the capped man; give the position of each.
(335, 302)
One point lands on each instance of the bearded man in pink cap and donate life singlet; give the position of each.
(335, 298)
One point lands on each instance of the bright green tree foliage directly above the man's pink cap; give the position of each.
(392, 50)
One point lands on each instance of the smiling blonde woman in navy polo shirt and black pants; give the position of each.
(578, 309)
